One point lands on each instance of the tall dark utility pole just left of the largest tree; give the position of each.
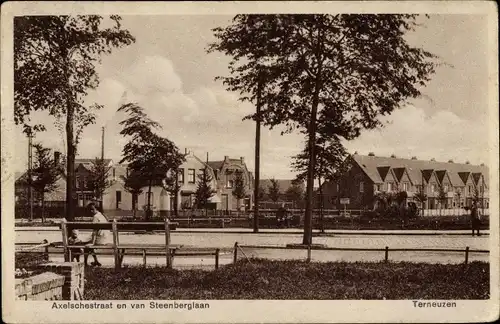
(257, 155)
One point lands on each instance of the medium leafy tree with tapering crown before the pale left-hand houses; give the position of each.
(147, 153)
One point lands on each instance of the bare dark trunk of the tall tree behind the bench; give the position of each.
(70, 163)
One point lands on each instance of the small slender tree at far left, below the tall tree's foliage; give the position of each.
(45, 174)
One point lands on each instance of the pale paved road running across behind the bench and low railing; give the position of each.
(226, 239)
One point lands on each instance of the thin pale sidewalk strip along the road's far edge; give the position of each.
(293, 231)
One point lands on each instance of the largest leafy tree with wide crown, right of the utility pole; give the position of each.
(332, 74)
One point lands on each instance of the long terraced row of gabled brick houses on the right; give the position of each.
(369, 174)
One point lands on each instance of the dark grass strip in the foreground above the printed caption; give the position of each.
(265, 279)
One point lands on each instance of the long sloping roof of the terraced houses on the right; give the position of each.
(369, 165)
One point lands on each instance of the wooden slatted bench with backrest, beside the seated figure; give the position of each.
(116, 227)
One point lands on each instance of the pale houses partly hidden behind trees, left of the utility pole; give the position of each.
(117, 198)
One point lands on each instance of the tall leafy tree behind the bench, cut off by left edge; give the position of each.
(54, 67)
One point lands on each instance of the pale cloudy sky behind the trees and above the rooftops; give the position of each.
(168, 72)
